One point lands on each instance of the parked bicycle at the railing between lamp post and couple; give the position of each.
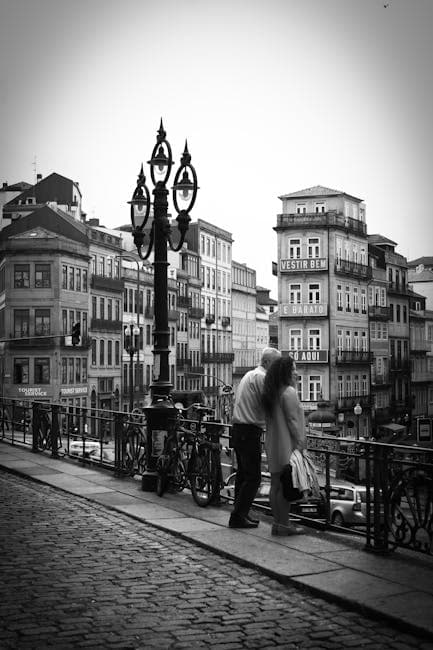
(191, 457)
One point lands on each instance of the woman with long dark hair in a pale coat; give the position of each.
(285, 432)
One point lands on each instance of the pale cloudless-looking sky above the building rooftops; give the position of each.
(273, 96)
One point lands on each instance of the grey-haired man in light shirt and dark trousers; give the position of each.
(248, 423)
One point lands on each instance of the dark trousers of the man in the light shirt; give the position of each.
(246, 441)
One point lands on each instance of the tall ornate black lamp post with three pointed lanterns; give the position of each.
(156, 238)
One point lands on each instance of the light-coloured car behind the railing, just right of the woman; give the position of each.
(348, 503)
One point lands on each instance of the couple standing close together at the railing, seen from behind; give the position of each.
(266, 399)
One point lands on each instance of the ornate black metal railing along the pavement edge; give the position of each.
(395, 481)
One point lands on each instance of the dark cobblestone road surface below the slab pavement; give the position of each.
(77, 575)
